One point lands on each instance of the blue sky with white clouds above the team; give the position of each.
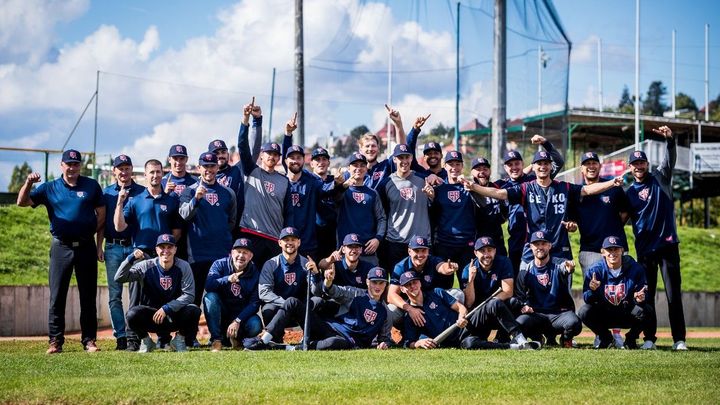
(180, 71)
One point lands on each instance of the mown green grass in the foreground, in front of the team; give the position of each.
(367, 376)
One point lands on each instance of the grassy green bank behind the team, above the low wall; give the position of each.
(25, 241)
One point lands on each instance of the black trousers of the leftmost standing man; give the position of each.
(66, 256)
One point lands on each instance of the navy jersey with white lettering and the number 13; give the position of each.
(545, 210)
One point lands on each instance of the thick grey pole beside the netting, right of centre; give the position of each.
(499, 73)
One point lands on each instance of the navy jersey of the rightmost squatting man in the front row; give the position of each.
(617, 290)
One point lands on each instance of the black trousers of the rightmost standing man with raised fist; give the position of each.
(667, 259)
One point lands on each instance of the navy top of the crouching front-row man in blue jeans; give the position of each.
(241, 299)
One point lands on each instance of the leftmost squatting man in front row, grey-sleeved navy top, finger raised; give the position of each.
(166, 297)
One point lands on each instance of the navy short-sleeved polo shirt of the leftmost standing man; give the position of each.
(71, 209)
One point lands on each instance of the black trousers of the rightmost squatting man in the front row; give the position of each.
(600, 318)
